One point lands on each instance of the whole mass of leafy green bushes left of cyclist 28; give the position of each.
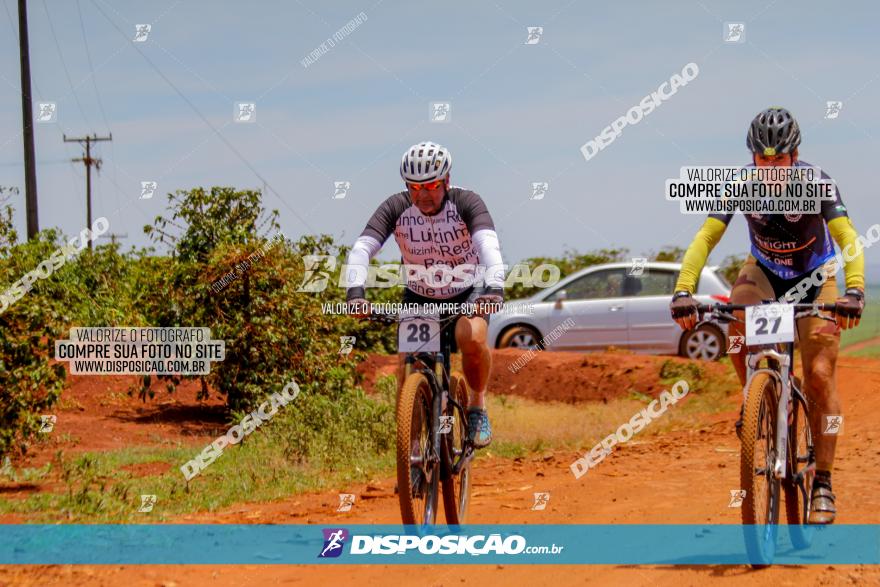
(273, 333)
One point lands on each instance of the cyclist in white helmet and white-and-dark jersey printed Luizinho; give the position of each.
(445, 228)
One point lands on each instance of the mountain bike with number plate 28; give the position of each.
(433, 448)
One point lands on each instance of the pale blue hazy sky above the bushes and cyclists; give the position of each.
(519, 112)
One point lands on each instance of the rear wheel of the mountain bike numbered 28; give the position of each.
(456, 488)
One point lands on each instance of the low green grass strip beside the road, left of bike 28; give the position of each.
(98, 489)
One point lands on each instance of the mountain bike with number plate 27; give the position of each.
(774, 458)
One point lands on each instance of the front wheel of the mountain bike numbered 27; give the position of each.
(760, 506)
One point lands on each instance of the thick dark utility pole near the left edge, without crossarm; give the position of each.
(27, 117)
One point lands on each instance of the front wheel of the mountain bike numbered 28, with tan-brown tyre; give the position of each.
(417, 471)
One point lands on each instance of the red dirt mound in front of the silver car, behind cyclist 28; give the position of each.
(569, 377)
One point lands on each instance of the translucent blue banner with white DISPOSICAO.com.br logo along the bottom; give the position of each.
(204, 544)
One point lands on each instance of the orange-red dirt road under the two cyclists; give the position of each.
(682, 477)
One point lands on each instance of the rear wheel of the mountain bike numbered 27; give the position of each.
(798, 491)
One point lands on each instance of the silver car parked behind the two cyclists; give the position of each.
(613, 305)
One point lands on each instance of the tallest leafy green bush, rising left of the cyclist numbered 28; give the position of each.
(273, 333)
